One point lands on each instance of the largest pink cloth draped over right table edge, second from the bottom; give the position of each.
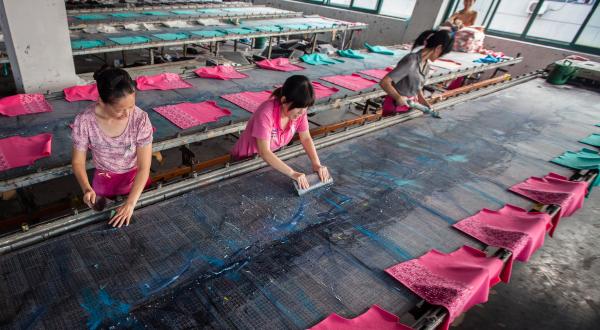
(456, 281)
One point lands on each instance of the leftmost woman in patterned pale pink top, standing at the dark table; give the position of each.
(119, 135)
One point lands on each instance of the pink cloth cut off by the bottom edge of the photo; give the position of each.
(376, 318)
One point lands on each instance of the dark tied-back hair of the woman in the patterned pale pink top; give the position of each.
(113, 83)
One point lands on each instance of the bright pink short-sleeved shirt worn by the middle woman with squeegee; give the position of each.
(265, 124)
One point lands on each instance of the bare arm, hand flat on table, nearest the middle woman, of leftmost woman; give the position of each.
(124, 213)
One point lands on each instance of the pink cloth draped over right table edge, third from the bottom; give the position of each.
(512, 228)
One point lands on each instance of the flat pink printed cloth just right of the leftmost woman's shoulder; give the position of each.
(186, 115)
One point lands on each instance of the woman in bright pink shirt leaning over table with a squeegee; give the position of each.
(274, 124)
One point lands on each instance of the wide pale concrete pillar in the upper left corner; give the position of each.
(37, 40)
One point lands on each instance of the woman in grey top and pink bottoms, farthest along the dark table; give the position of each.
(404, 84)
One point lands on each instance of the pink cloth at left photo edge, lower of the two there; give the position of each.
(17, 151)
